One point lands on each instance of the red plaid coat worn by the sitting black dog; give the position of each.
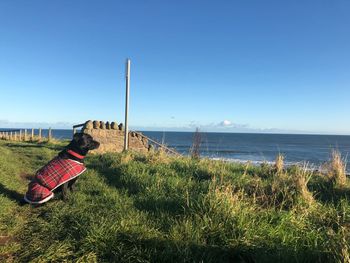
(57, 172)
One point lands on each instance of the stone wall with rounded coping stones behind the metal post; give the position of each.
(110, 135)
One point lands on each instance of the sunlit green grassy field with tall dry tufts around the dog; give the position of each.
(135, 208)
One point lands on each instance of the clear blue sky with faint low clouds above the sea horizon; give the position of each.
(226, 66)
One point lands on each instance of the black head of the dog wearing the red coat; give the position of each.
(82, 143)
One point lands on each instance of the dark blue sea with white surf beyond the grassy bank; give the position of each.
(314, 150)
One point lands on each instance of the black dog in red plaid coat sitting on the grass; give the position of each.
(61, 173)
